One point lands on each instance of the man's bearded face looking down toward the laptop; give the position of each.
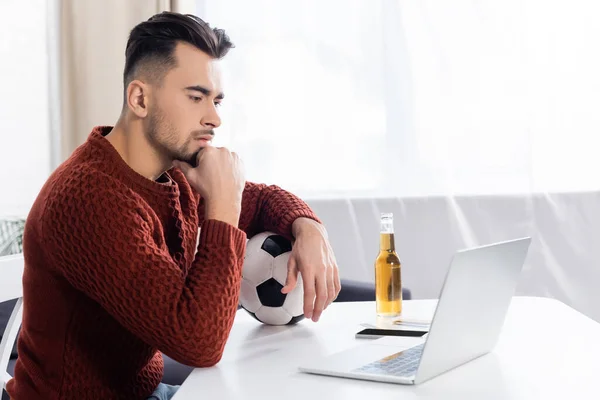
(183, 111)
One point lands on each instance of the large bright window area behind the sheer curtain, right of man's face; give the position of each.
(404, 98)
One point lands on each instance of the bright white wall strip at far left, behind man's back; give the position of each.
(24, 112)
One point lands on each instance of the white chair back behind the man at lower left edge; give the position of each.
(11, 288)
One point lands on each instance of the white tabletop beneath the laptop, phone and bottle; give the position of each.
(546, 351)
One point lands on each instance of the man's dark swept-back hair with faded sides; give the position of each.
(152, 43)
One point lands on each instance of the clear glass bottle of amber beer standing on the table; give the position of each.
(388, 283)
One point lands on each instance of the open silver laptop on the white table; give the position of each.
(471, 310)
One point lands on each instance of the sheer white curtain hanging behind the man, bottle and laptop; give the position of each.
(472, 121)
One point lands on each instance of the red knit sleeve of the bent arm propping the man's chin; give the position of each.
(111, 248)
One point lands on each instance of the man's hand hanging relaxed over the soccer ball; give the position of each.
(313, 257)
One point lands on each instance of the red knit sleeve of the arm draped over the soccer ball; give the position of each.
(269, 208)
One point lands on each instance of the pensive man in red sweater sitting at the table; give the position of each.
(115, 272)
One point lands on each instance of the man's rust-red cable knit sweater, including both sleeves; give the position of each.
(112, 277)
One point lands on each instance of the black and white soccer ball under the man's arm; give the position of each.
(263, 276)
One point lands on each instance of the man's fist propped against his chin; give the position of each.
(219, 179)
